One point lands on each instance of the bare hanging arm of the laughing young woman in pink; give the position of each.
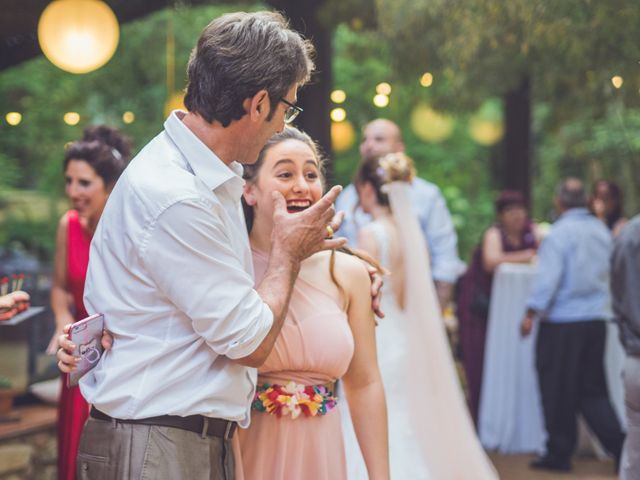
(362, 382)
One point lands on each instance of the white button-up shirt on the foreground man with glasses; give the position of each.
(170, 267)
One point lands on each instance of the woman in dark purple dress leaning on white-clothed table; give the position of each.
(511, 239)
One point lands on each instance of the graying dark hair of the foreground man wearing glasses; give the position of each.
(239, 54)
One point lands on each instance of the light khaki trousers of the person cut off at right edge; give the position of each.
(630, 468)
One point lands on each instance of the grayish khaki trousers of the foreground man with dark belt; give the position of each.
(117, 451)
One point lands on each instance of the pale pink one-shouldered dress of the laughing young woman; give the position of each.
(315, 347)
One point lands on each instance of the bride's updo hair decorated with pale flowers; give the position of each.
(393, 167)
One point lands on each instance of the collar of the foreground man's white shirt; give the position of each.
(206, 165)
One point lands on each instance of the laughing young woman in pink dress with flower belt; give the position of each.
(329, 333)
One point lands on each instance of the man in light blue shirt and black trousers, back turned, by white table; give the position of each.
(571, 298)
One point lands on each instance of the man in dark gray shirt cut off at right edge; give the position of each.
(625, 289)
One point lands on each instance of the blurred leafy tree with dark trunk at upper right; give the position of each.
(564, 53)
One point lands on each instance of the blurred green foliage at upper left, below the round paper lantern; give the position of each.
(31, 153)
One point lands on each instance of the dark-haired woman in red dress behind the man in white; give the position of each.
(91, 169)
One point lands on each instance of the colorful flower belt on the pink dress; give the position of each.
(293, 399)
